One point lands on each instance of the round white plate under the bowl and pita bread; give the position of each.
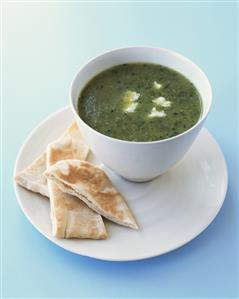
(171, 210)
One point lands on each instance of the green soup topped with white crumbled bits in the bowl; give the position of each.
(140, 102)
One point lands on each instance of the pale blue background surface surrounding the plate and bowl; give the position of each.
(44, 44)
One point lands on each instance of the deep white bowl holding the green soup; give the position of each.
(141, 161)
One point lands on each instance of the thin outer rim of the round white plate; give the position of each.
(142, 257)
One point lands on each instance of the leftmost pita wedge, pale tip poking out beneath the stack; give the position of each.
(32, 177)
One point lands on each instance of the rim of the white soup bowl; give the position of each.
(171, 52)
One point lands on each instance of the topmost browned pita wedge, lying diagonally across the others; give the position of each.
(91, 185)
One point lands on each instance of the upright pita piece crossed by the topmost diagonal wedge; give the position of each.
(71, 217)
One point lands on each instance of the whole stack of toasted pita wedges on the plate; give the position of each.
(80, 193)
